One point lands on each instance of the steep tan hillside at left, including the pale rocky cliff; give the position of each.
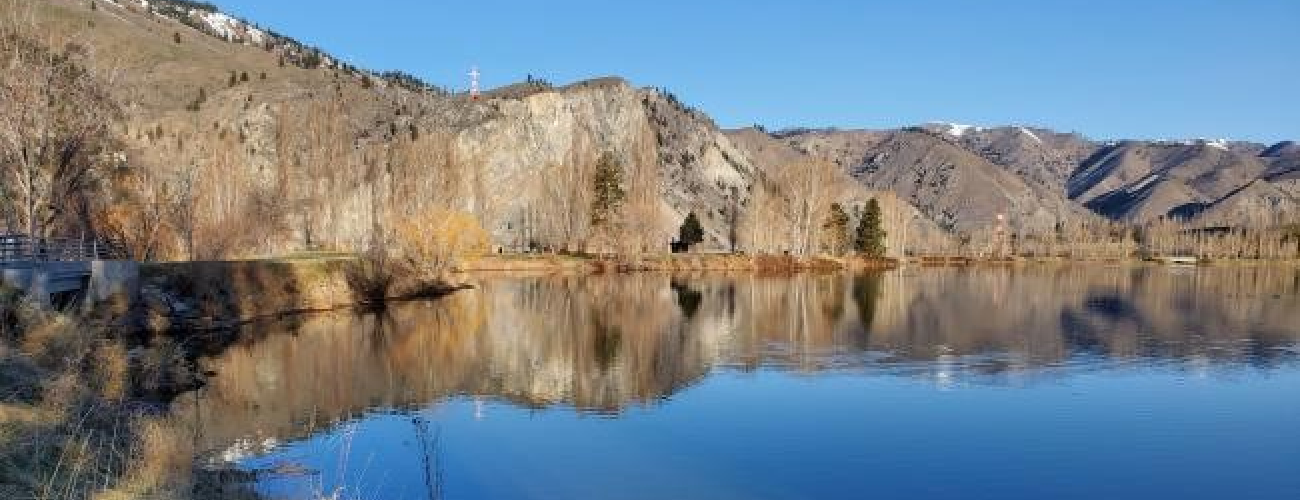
(322, 154)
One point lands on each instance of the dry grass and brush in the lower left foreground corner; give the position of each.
(71, 420)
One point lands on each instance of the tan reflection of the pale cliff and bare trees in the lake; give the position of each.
(595, 344)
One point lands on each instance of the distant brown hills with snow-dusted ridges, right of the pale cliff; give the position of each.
(963, 176)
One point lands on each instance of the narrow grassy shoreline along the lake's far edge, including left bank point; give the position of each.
(222, 295)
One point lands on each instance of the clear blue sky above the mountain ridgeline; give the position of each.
(1104, 68)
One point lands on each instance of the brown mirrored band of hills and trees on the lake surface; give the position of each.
(603, 345)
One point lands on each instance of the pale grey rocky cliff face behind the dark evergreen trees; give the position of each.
(530, 147)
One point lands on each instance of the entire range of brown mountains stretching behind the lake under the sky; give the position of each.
(209, 90)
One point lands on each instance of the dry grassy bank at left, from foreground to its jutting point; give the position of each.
(85, 392)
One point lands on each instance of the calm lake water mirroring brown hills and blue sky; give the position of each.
(921, 384)
